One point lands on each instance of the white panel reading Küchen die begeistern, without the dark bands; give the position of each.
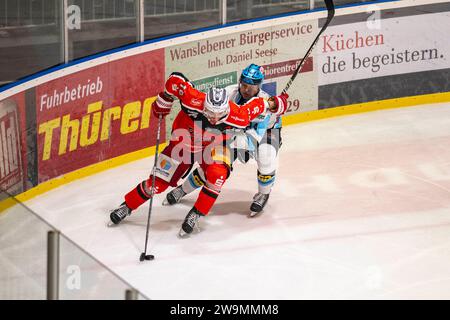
(376, 48)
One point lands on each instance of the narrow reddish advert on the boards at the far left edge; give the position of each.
(12, 144)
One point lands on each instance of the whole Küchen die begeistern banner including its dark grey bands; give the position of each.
(378, 55)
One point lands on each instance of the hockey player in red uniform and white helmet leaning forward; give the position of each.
(199, 134)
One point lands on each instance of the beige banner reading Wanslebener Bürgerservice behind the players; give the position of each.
(219, 61)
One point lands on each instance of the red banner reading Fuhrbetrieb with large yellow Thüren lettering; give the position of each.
(97, 114)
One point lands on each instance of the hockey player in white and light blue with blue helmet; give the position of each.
(261, 140)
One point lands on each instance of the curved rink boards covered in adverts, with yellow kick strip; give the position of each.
(94, 113)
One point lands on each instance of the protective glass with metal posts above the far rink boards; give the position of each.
(45, 28)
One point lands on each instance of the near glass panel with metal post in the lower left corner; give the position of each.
(39, 262)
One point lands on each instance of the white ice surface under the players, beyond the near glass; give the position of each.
(360, 209)
